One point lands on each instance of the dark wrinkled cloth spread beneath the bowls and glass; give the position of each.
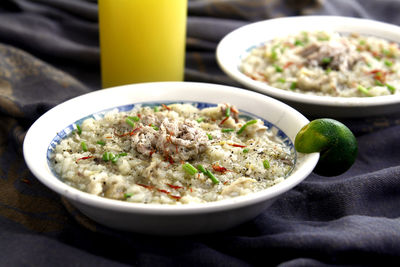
(49, 52)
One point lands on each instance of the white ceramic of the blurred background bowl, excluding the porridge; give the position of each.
(237, 44)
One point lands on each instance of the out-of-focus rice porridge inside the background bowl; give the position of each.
(327, 64)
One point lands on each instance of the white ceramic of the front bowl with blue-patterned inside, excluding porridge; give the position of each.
(164, 219)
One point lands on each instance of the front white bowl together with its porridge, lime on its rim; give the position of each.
(169, 158)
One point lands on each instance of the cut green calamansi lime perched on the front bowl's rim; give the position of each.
(336, 143)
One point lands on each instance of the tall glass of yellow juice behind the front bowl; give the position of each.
(142, 40)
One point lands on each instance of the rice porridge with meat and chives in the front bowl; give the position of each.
(175, 154)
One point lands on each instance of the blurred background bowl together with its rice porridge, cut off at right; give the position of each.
(321, 65)
